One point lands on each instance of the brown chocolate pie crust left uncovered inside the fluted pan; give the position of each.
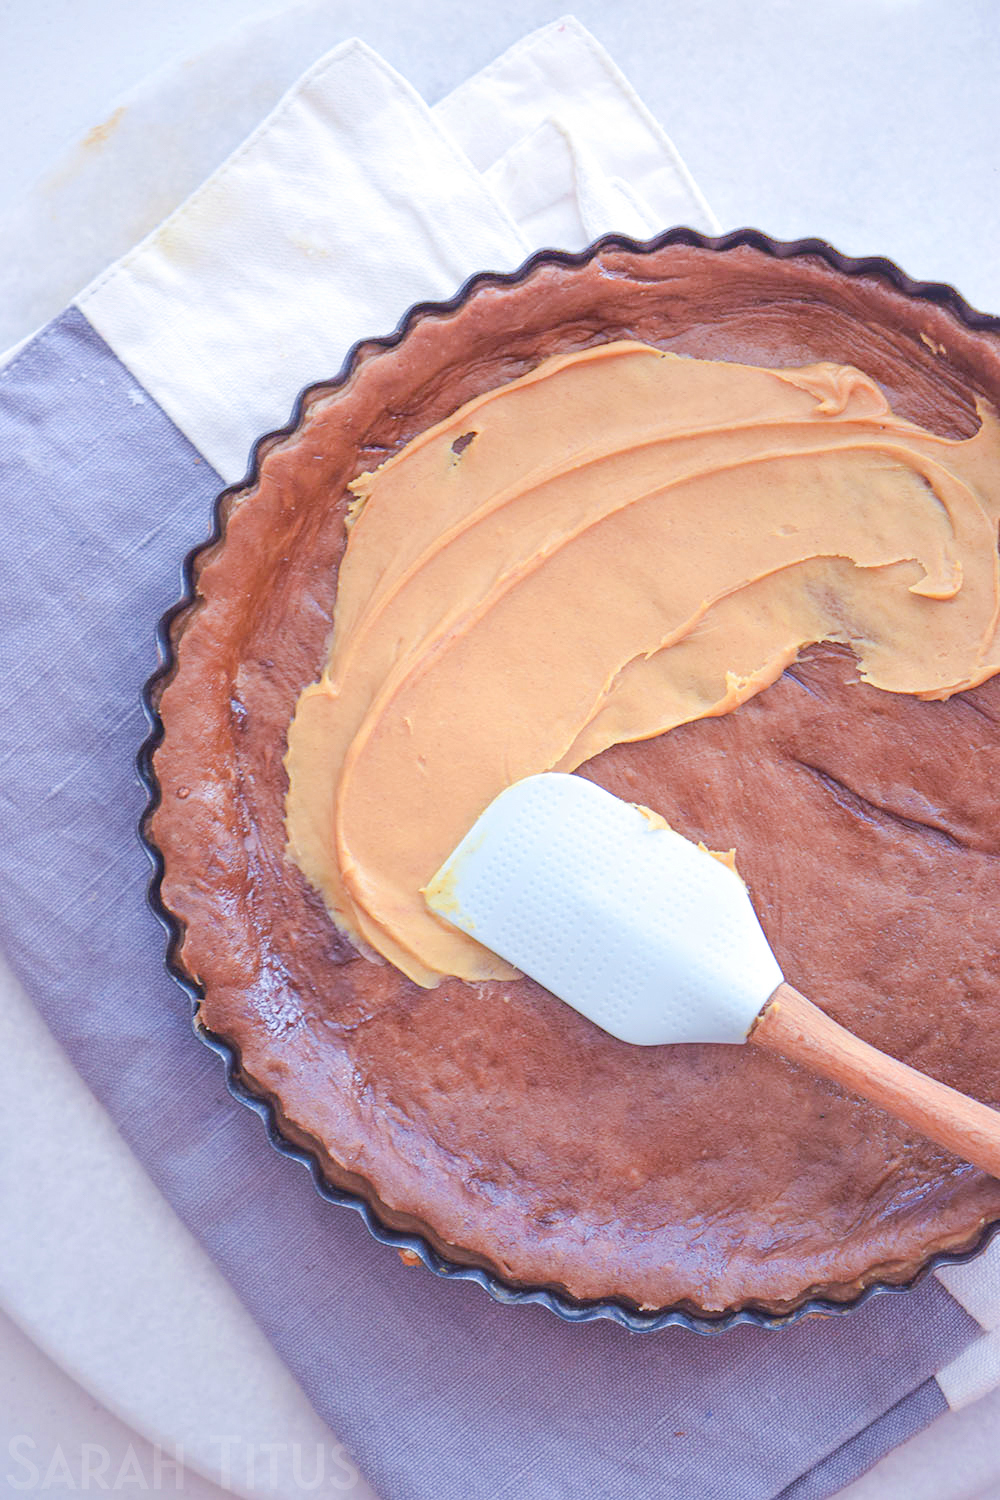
(491, 1120)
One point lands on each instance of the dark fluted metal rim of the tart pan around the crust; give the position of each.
(415, 1247)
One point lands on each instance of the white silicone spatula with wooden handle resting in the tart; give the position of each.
(656, 941)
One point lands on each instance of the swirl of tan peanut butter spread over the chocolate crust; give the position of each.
(614, 545)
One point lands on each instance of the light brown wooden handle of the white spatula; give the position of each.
(801, 1031)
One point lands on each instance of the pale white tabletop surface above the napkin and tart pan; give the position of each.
(867, 122)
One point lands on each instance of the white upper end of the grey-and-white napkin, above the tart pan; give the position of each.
(346, 238)
